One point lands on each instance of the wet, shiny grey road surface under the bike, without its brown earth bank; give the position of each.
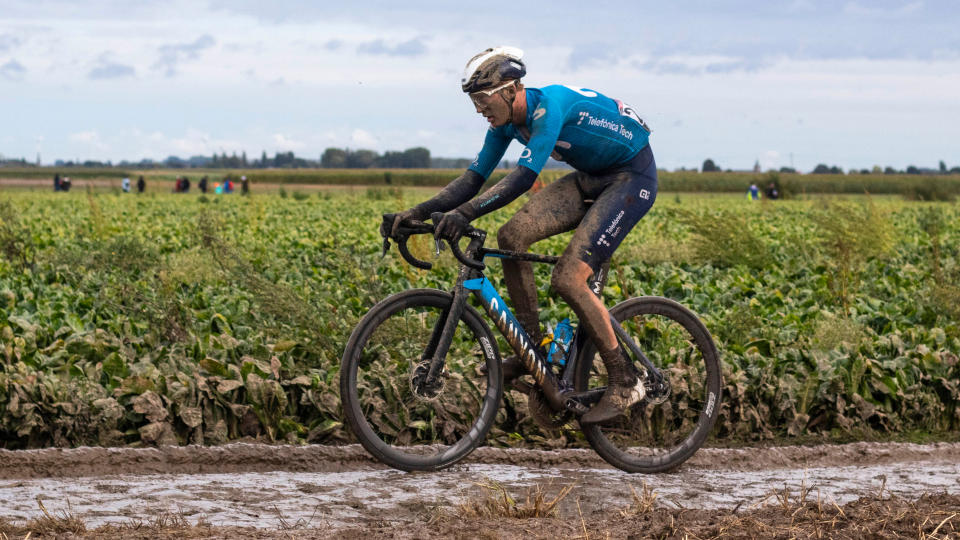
(271, 499)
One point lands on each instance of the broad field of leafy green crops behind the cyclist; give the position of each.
(155, 319)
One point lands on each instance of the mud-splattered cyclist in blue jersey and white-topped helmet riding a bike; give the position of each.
(614, 185)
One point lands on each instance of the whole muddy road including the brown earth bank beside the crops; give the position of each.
(324, 488)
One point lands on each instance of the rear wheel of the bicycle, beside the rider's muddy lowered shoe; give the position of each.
(657, 435)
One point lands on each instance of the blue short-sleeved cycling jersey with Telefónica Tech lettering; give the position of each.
(581, 127)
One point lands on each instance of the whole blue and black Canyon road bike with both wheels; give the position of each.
(421, 379)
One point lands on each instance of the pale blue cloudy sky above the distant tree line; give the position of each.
(801, 82)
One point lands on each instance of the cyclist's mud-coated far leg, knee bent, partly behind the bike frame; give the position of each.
(556, 208)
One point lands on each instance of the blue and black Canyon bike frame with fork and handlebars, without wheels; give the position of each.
(559, 391)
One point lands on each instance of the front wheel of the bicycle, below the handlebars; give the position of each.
(405, 429)
